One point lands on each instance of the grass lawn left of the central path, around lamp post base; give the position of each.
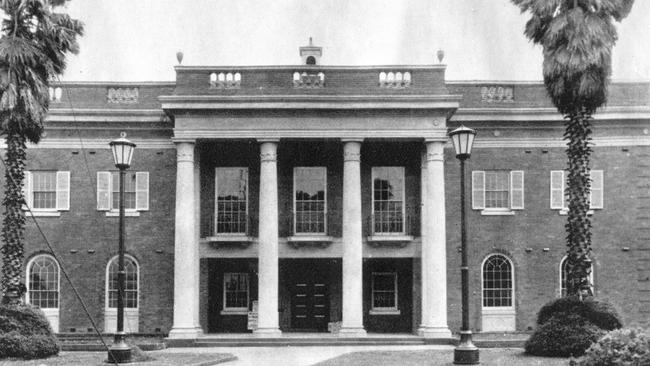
(98, 358)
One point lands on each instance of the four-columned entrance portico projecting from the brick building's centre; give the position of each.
(349, 224)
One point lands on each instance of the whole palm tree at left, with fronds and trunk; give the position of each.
(33, 46)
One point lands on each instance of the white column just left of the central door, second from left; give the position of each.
(268, 318)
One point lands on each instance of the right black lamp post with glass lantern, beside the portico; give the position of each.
(466, 353)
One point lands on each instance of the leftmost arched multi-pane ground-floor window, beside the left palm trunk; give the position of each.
(43, 282)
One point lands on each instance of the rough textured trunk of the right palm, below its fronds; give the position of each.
(578, 226)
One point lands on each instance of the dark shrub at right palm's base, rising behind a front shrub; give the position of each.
(599, 313)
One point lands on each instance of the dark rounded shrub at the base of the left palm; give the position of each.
(25, 333)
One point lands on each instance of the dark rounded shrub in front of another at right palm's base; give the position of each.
(563, 336)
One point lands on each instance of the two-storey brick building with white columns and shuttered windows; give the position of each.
(327, 197)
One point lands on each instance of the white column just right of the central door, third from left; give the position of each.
(352, 322)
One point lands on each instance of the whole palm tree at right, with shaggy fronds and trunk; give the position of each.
(577, 37)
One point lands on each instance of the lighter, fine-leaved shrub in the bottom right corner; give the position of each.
(619, 347)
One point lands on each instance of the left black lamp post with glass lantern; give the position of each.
(120, 352)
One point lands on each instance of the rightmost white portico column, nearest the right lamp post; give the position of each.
(434, 255)
